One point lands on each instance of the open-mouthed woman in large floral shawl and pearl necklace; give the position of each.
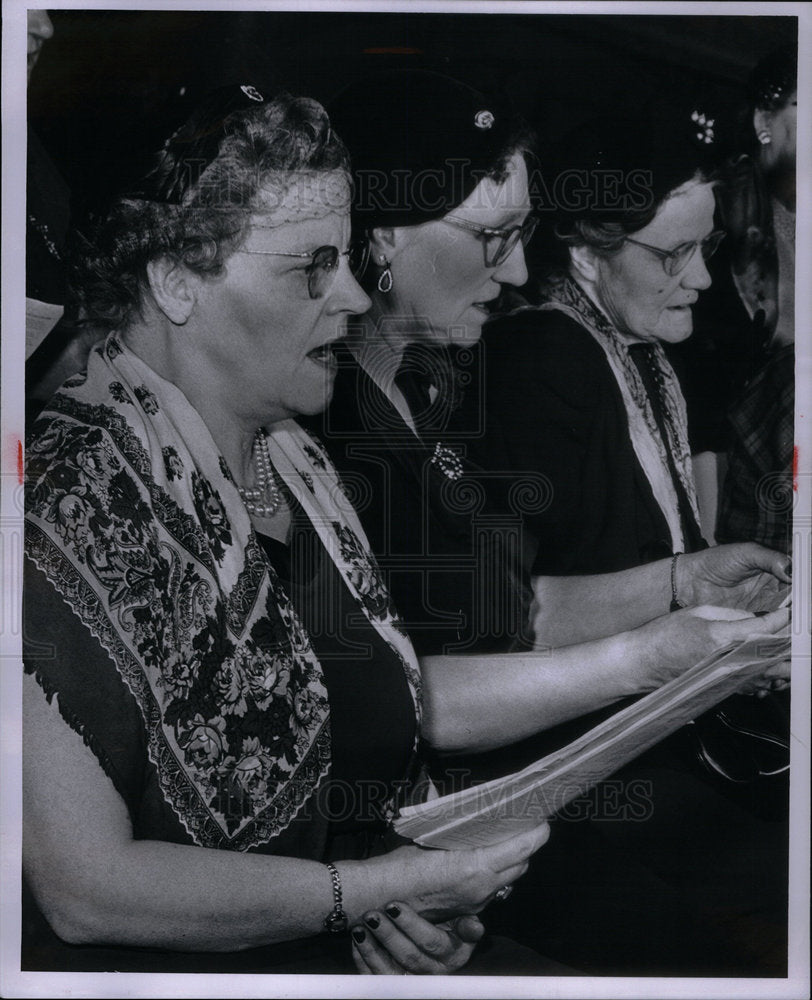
(207, 766)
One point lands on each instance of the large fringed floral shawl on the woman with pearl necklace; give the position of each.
(136, 521)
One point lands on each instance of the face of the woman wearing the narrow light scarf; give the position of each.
(632, 286)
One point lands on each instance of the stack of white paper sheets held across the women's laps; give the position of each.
(491, 812)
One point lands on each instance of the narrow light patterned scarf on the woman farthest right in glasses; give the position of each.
(567, 297)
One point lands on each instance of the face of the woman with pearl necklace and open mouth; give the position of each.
(264, 332)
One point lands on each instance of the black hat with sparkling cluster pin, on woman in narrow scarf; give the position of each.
(621, 167)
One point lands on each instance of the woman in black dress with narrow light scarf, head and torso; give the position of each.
(588, 365)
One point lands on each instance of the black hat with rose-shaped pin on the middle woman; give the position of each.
(419, 143)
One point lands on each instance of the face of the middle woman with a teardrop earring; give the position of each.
(441, 285)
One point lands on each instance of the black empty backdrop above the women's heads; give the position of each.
(110, 86)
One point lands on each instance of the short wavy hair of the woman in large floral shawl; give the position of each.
(195, 204)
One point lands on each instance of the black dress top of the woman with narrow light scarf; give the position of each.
(549, 405)
